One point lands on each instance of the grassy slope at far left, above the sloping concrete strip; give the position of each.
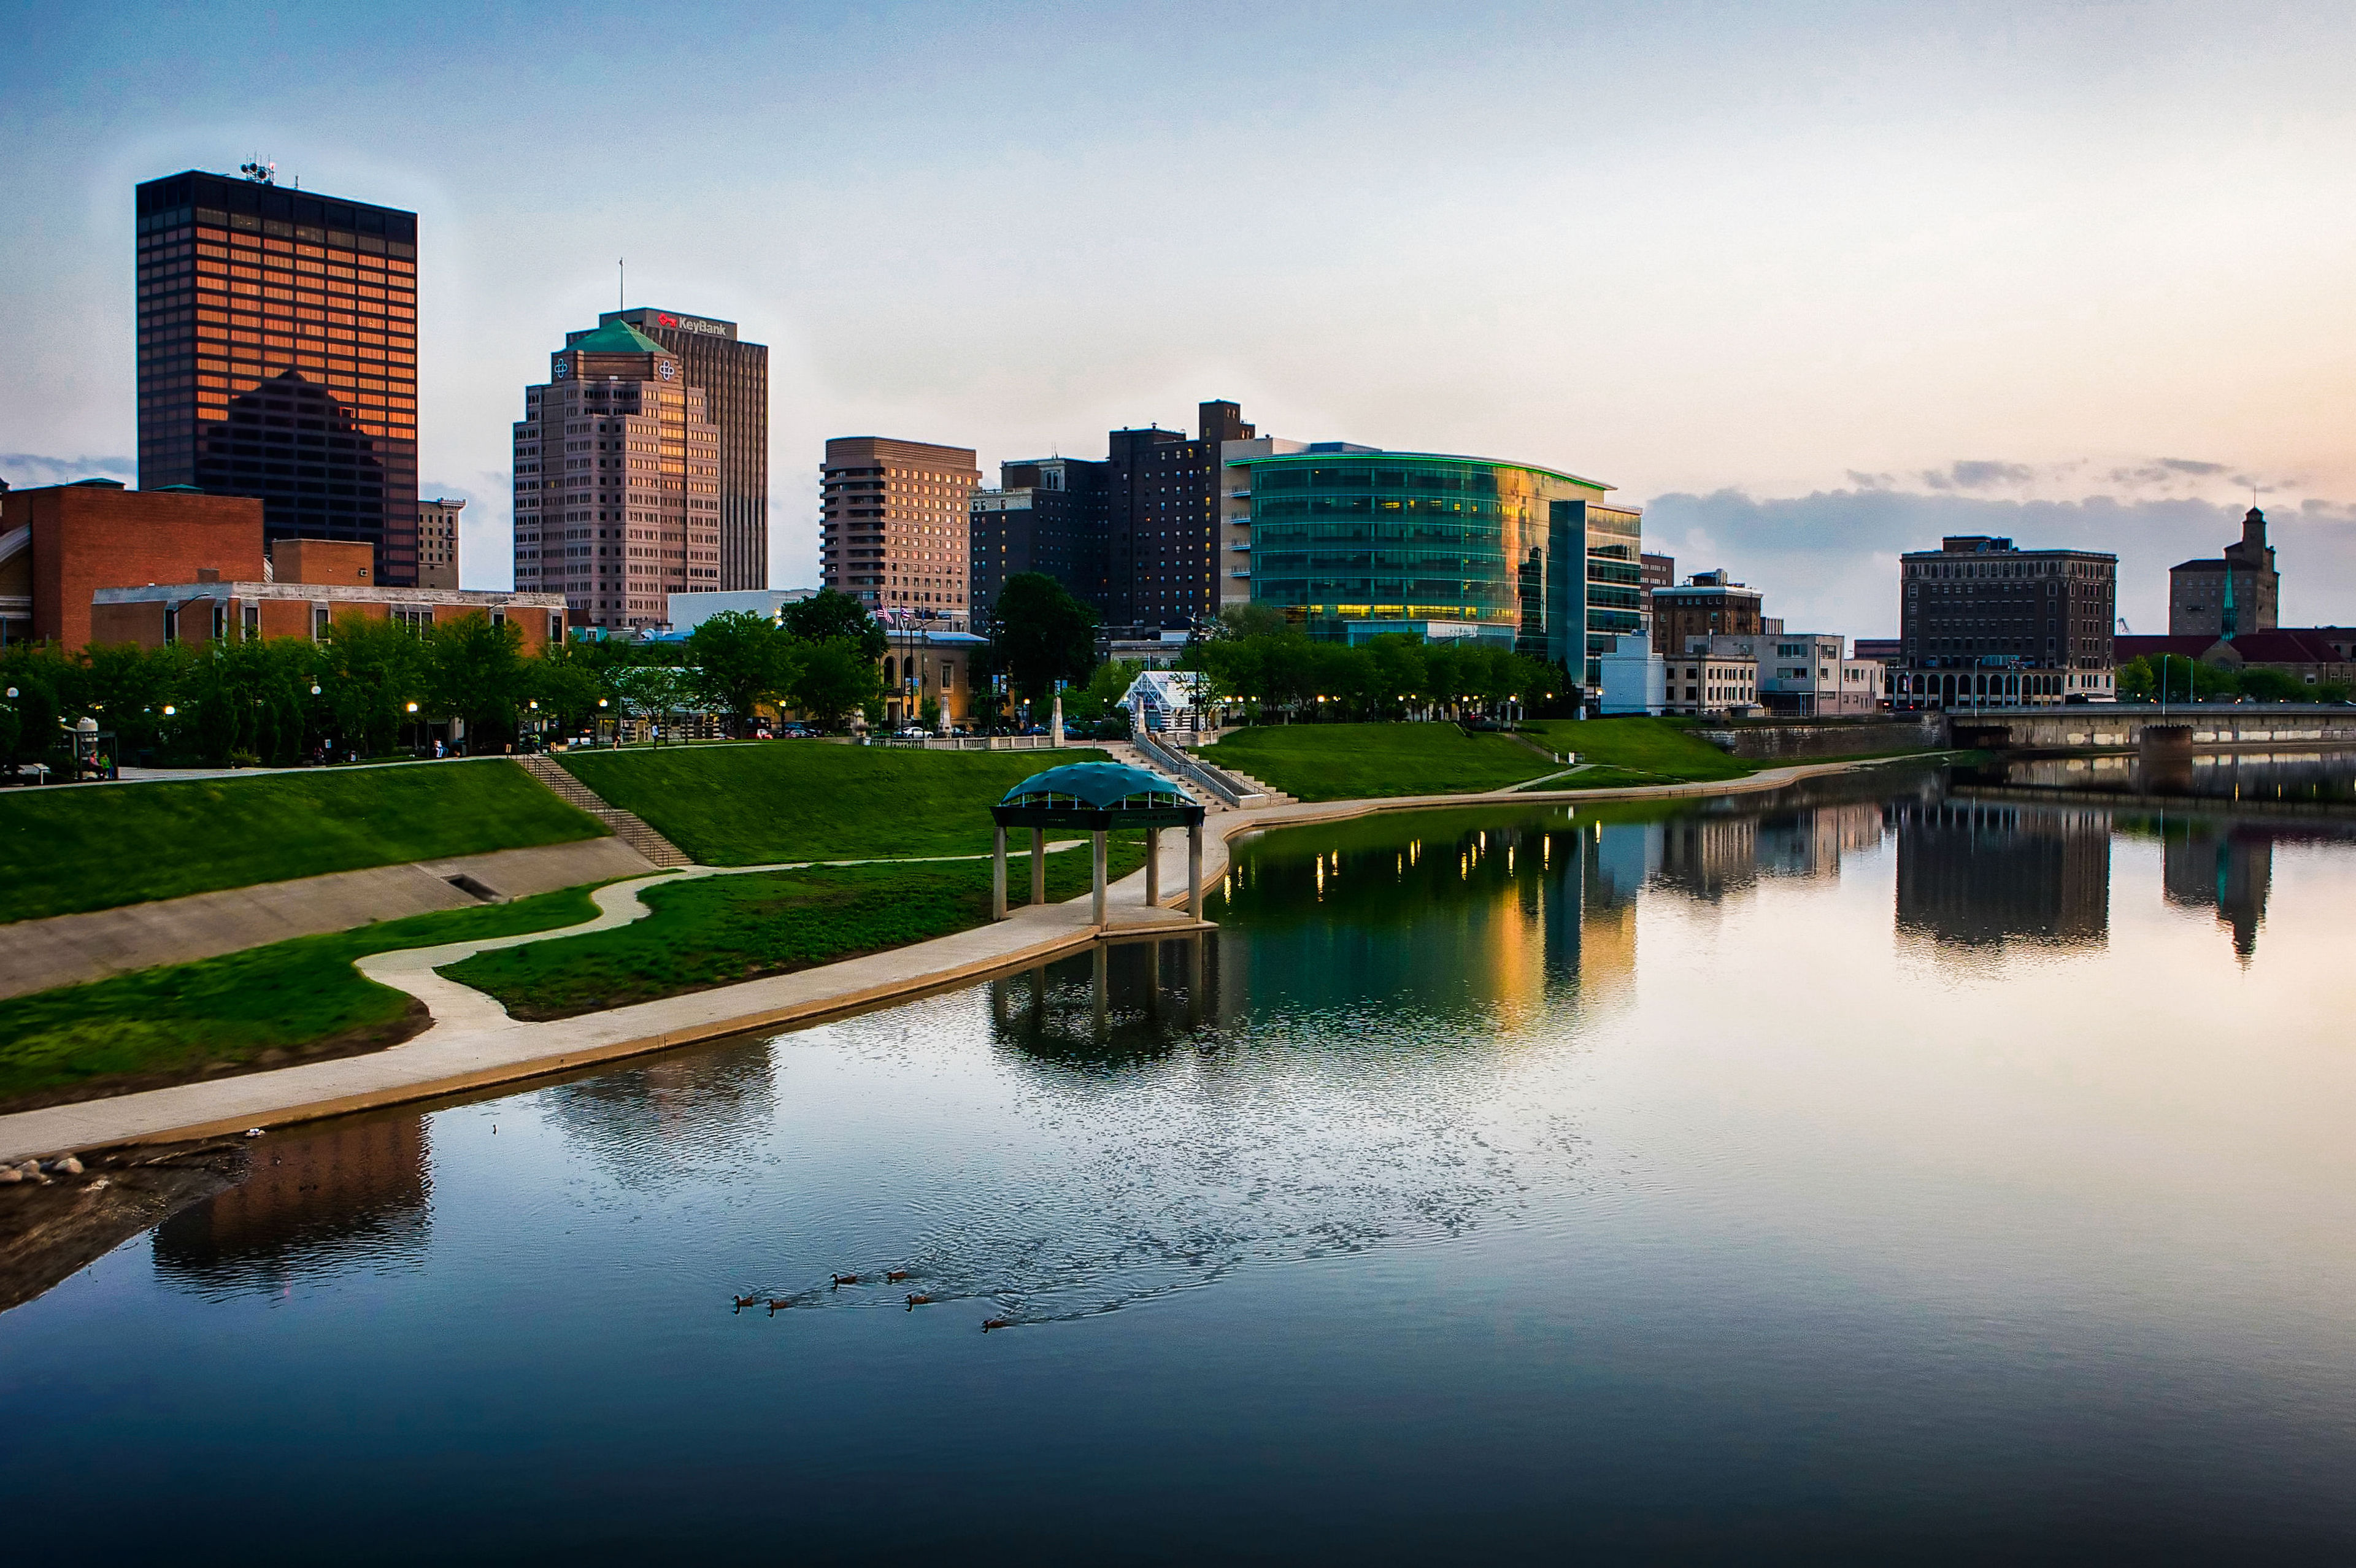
(98, 846)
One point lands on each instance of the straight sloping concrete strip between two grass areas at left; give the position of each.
(81, 948)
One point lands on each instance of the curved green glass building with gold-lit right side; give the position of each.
(1356, 543)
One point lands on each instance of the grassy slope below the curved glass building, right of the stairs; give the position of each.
(1365, 762)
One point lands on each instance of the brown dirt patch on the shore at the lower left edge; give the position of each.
(48, 1230)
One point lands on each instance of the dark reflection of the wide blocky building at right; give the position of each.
(1985, 875)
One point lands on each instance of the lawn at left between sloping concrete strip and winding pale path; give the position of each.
(258, 1009)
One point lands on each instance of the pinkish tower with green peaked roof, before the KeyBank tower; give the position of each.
(618, 481)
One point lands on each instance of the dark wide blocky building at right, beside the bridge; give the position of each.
(1987, 625)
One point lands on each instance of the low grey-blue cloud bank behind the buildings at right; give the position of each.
(1827, 562)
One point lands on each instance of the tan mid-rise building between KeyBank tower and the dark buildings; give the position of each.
(894, 526)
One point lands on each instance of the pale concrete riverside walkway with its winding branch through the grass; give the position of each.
(475, 1044)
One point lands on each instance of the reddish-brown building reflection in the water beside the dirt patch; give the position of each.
(355, 1195)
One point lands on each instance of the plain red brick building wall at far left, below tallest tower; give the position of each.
(91, 538)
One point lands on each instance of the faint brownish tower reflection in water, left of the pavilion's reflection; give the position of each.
(677, 1112)
